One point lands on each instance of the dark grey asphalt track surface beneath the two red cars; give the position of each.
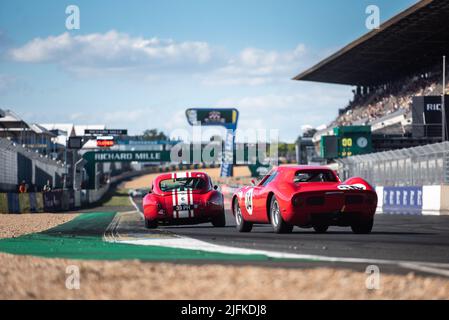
(407, 238)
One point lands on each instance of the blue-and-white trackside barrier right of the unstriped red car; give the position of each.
(426, 200)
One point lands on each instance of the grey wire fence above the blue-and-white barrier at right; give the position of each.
(417, 166)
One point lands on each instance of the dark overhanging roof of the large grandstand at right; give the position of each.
(408, 43)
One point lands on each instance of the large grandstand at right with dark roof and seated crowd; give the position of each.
(388, 67)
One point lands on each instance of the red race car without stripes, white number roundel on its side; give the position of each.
(305, 196)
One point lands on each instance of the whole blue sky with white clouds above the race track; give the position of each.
(140, 64)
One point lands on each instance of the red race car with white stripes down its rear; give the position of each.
(183, 198)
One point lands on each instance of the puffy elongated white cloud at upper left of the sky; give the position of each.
(112, 51)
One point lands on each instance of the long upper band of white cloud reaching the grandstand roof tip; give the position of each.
(100, 53)
